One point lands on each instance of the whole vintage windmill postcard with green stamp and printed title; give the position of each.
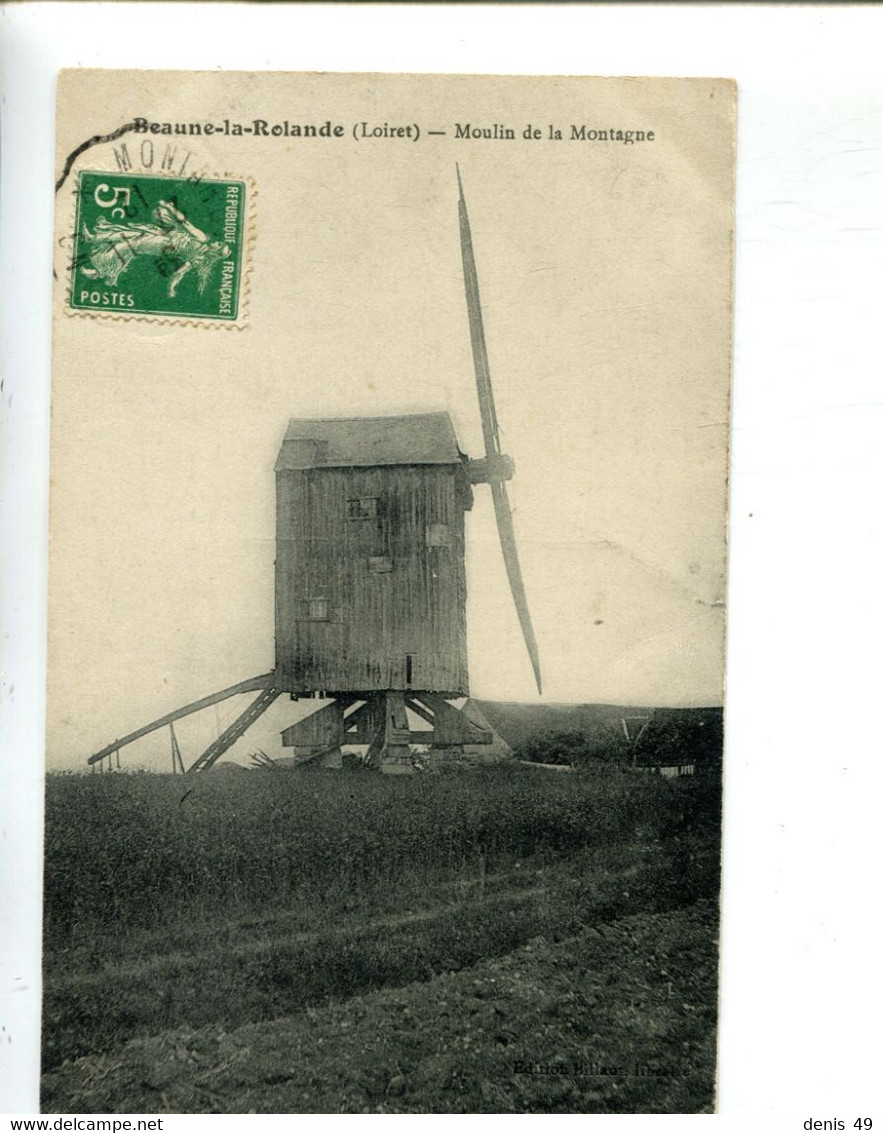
(390, 427)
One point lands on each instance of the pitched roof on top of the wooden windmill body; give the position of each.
(421, 439)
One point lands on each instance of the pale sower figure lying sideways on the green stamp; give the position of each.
(173, 237)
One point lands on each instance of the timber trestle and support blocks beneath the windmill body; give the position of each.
(380, 721)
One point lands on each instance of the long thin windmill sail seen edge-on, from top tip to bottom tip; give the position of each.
(491, 432)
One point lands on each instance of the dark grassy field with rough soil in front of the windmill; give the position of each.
(444, 936)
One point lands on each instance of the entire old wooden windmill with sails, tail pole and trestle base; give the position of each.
(371, 580)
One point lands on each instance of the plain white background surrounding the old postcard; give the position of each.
(803, 780)
